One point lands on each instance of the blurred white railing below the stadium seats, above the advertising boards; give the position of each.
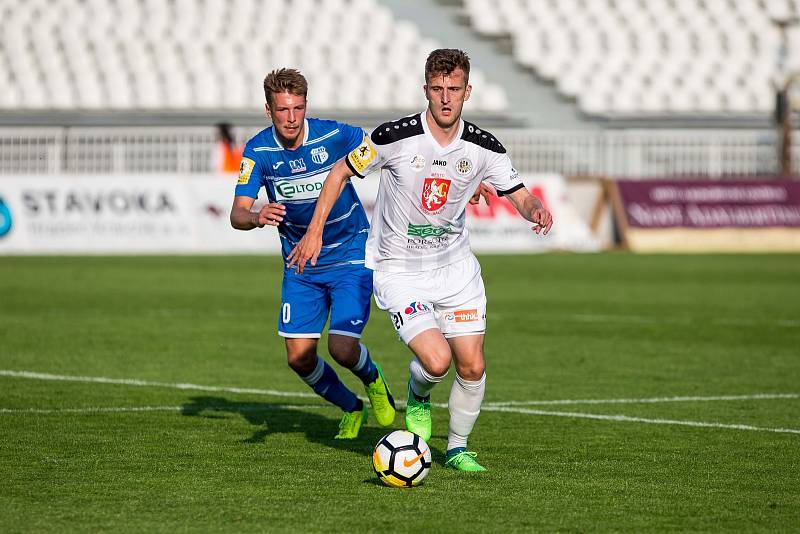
(612, 153)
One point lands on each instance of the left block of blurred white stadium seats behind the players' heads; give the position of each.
(210, 54)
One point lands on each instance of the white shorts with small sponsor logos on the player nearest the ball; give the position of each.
(451, 298)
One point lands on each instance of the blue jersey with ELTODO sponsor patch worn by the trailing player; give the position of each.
(294, 178)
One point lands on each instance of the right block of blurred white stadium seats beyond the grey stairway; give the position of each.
(634, 57)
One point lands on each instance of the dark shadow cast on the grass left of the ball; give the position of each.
(318, 423)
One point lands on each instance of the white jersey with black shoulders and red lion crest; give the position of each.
(419, 216)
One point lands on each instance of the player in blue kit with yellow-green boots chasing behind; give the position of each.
(291, 160)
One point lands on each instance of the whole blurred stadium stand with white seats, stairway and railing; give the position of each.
(134, 86)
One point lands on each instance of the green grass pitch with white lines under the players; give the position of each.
(86, 455)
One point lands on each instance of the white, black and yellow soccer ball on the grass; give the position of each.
(401, 459)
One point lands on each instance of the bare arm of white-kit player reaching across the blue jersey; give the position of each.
(309, 246)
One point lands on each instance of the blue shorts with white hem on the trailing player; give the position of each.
(306, 299)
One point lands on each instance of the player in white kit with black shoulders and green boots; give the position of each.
(425, 274)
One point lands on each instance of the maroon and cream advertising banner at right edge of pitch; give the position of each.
(757, 214)
